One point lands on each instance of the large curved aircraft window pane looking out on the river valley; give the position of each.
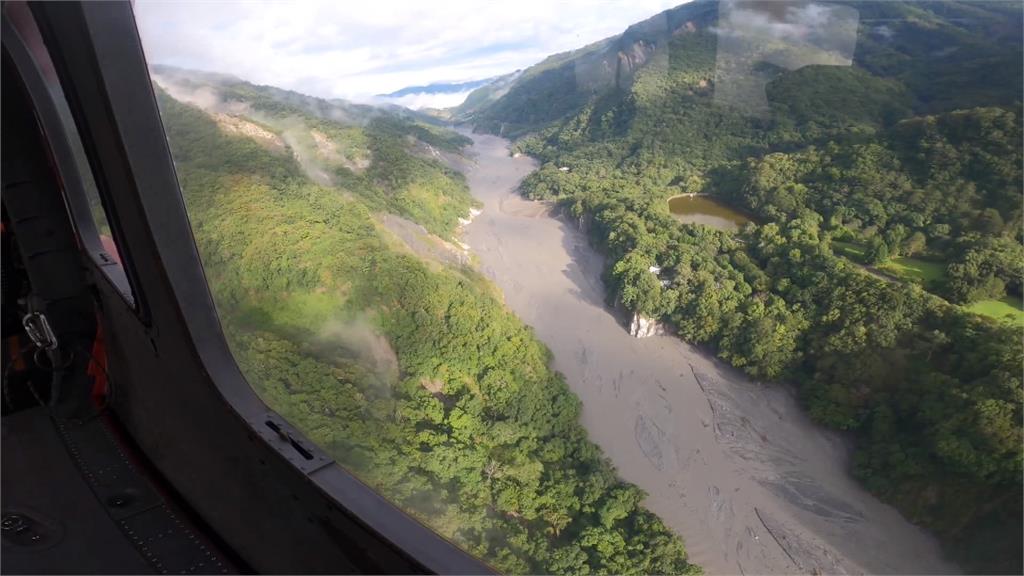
(576, 283)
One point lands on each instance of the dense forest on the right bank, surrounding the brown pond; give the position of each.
(888, 193)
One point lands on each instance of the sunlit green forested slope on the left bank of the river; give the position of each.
(415, 378)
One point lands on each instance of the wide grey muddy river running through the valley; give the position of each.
(736, 468)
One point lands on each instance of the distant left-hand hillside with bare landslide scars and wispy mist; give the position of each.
(388, 159)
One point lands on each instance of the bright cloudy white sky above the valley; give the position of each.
(355, 50)
